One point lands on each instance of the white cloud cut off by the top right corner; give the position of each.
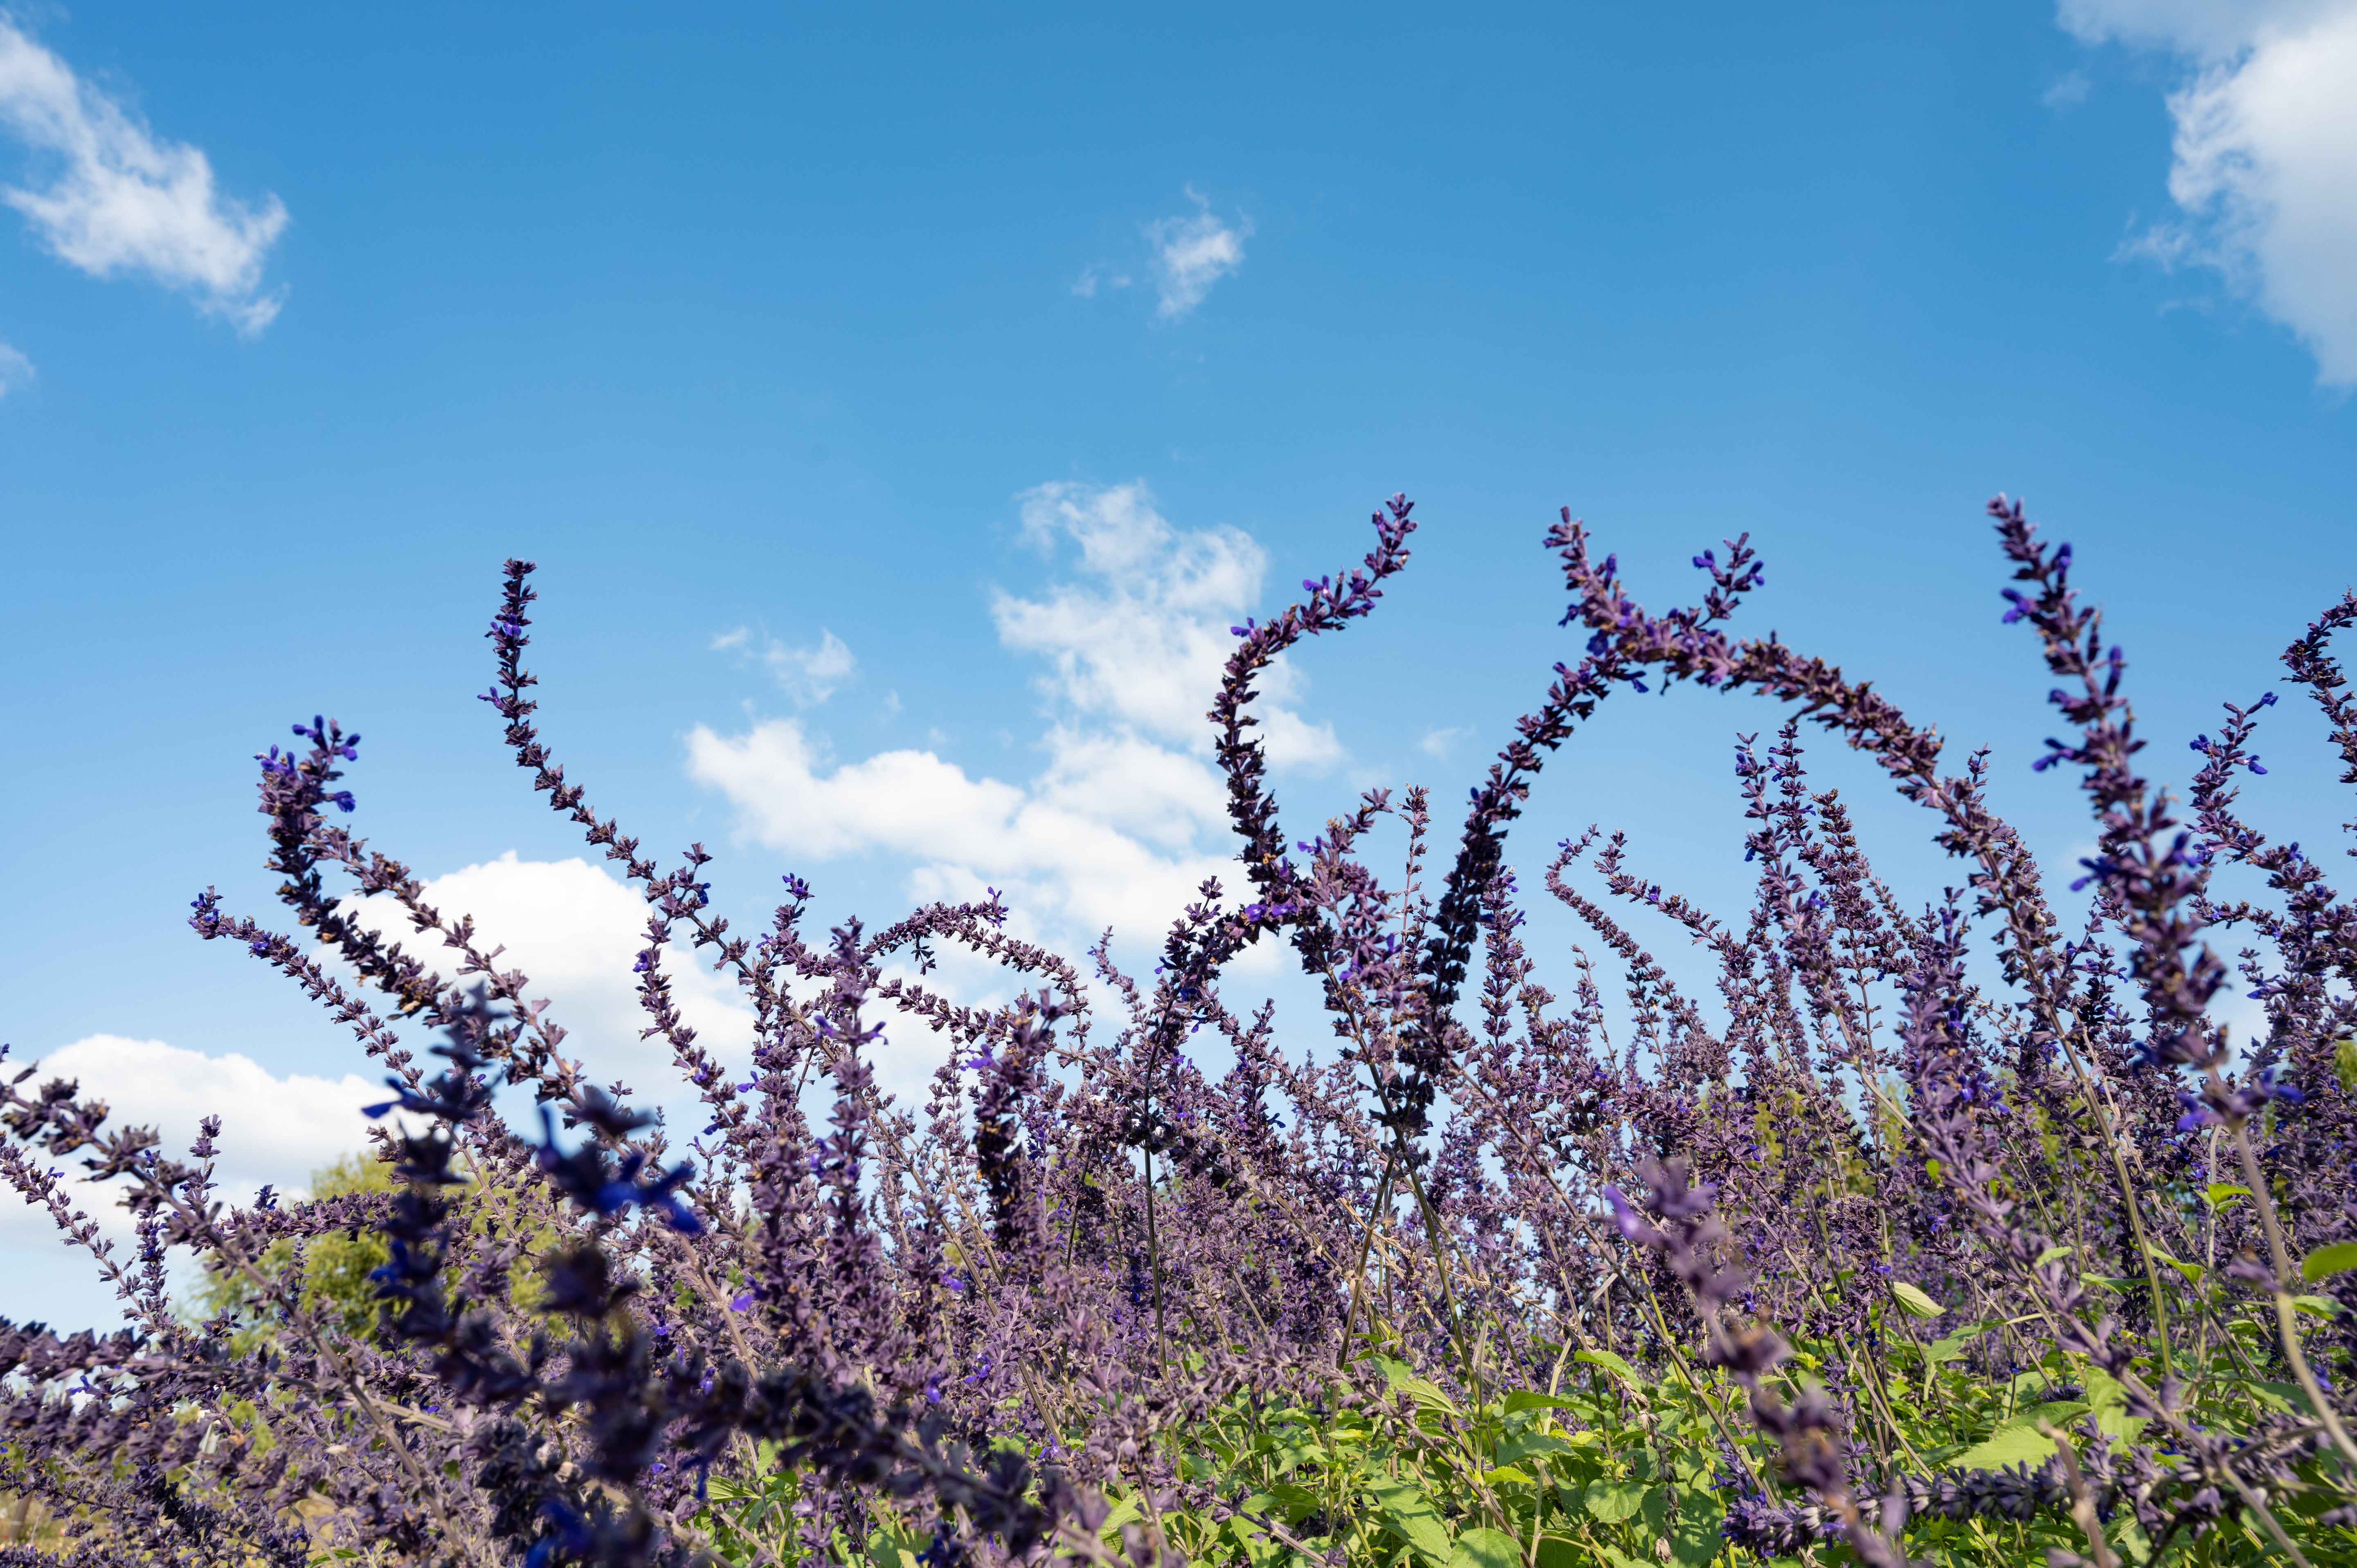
(2266, 152)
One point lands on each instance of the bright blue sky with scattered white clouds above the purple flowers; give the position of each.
(902, 402)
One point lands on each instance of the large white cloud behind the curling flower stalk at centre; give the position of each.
(1128, 817)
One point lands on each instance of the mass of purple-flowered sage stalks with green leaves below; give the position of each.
(1875, 1260)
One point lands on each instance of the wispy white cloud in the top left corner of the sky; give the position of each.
(119, 199)
